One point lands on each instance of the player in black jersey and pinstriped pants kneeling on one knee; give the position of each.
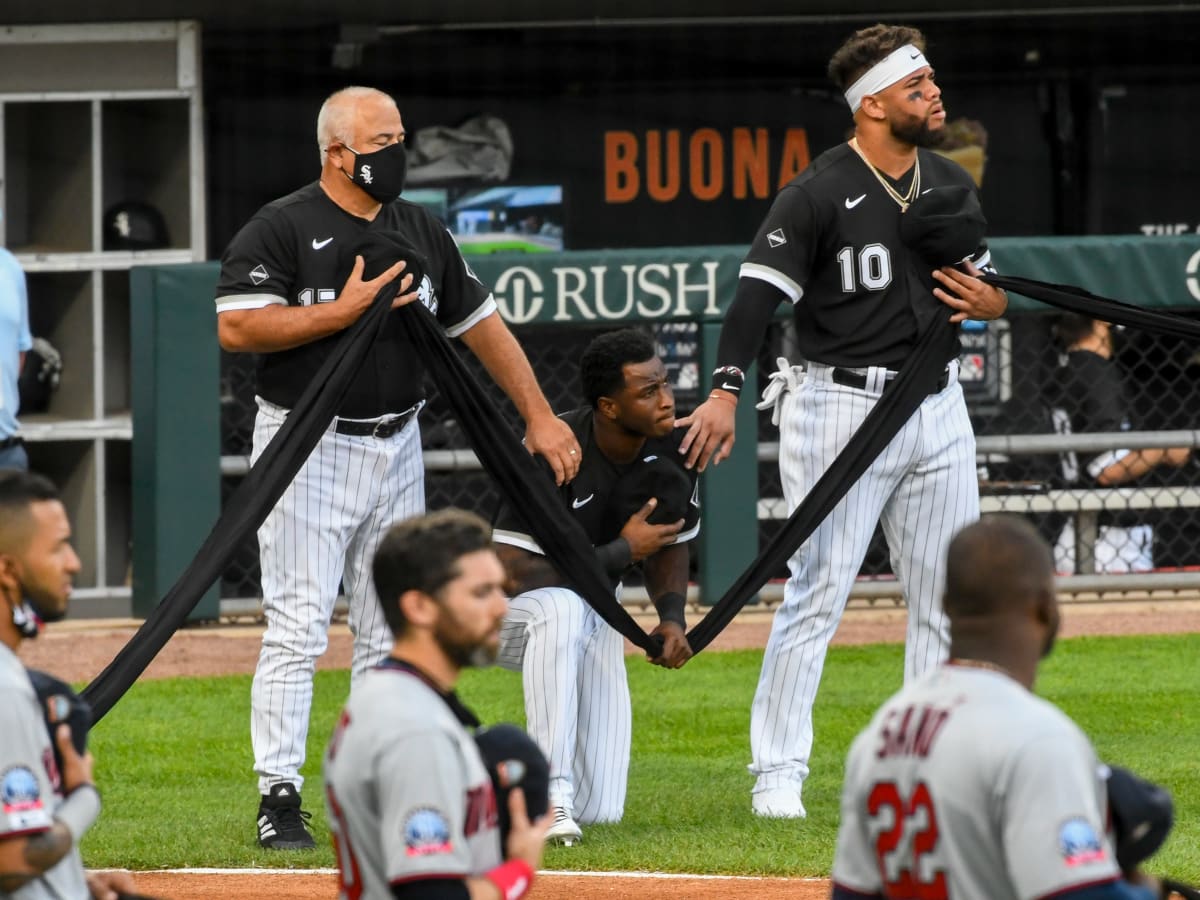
(638, 505)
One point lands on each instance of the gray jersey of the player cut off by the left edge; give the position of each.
(31, 784)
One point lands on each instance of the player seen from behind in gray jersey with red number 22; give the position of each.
(965, 784)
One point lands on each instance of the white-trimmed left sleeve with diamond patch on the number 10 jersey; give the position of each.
(783, 250)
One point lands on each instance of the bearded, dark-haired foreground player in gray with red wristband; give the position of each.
(411, 805)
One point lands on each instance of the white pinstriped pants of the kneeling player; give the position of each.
(577, 693)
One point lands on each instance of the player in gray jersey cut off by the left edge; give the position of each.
(45, 811)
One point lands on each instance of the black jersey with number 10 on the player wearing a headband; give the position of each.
(832, 244)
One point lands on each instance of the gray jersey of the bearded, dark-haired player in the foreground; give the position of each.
(407, 793)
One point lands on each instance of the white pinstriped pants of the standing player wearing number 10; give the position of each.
(923, 489)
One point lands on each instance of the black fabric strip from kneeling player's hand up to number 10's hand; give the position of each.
(917, 379)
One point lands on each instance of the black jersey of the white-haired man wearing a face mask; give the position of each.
(296, 251)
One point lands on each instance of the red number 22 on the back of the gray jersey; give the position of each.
(915, 827)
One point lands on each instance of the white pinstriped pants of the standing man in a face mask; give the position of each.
(325, 531)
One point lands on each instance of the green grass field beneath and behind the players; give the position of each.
(175, 764)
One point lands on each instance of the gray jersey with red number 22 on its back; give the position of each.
(968, 787)
